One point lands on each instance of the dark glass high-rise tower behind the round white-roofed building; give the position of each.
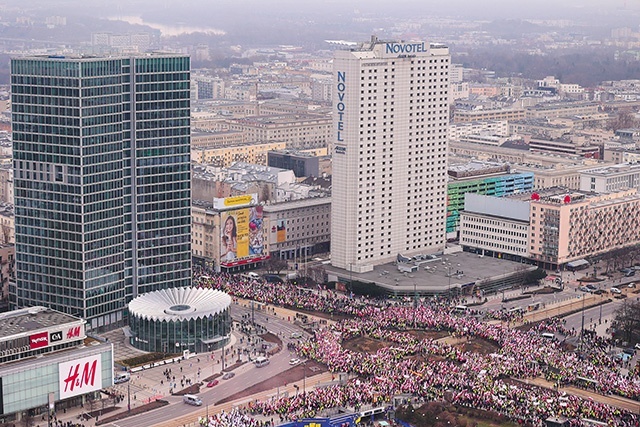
(102, 181)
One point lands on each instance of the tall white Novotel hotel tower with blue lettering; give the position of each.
(390, 152)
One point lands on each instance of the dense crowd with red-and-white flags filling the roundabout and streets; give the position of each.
(433, 370)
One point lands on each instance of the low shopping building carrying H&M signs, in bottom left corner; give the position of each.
(43, 352)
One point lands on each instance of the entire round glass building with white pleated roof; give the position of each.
(177, 319)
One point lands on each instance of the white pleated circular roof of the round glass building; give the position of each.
(178, 304)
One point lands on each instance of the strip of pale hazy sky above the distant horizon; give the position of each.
(199, 9)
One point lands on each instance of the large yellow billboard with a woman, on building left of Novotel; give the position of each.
(241, 236)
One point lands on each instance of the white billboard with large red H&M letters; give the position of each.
(80, 376)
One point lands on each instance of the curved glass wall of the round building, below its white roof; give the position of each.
(198, 334)
